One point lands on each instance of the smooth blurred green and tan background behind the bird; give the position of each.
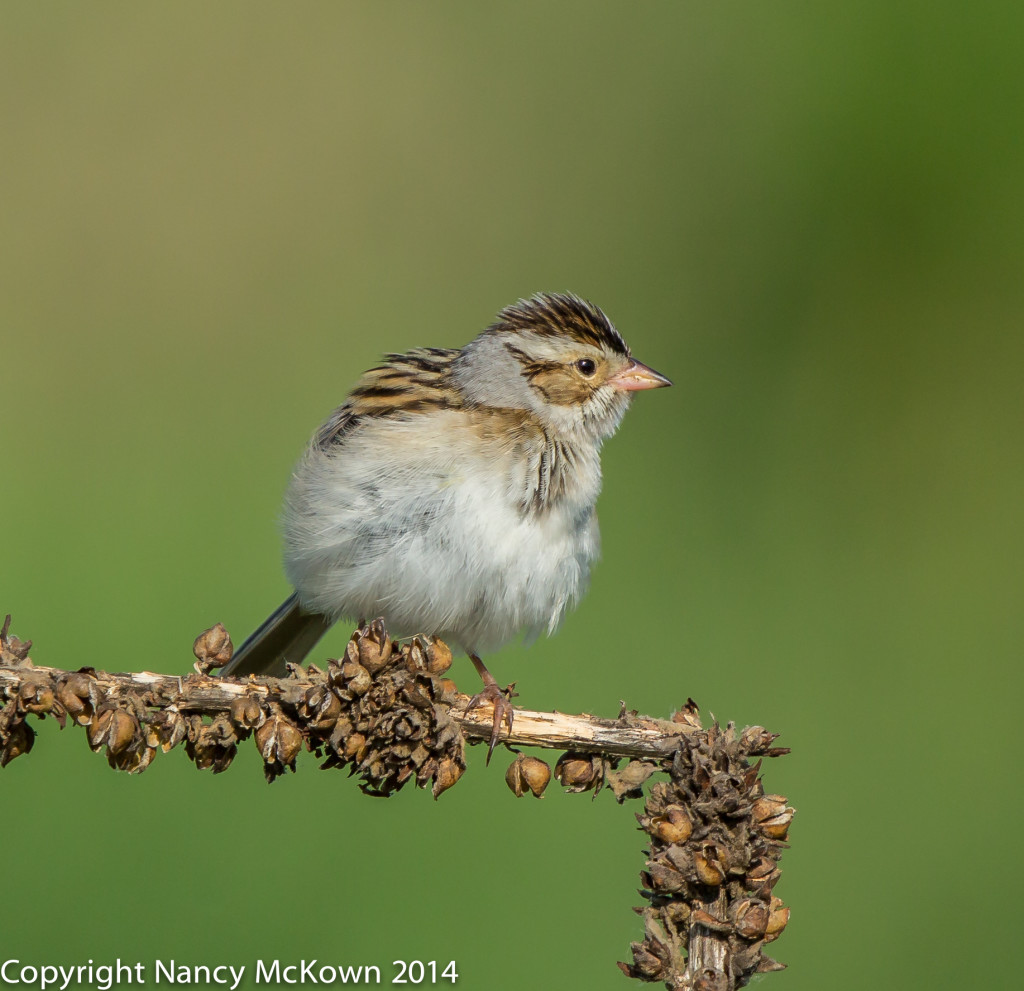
(809, 216)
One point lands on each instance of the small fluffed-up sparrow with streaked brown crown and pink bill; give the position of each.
(453, 493)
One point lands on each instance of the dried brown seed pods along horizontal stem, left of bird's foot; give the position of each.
(381, 711)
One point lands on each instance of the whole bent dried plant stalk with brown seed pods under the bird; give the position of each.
(389, 715)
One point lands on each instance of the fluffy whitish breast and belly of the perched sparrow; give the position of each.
(475, 528)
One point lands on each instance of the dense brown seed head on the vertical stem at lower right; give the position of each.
(716, 840)
